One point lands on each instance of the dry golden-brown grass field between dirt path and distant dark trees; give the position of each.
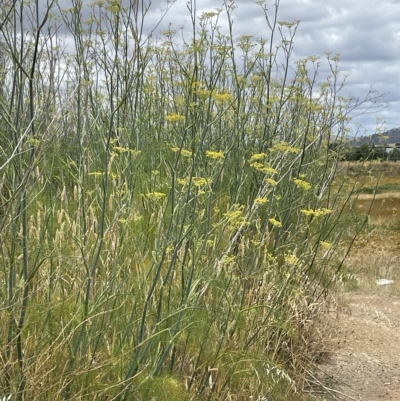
(376, 252)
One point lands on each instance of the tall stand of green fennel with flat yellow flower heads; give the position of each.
(168, 228)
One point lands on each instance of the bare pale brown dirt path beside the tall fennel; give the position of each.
(365, 361)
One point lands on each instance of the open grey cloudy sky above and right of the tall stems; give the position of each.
(366, 33)
